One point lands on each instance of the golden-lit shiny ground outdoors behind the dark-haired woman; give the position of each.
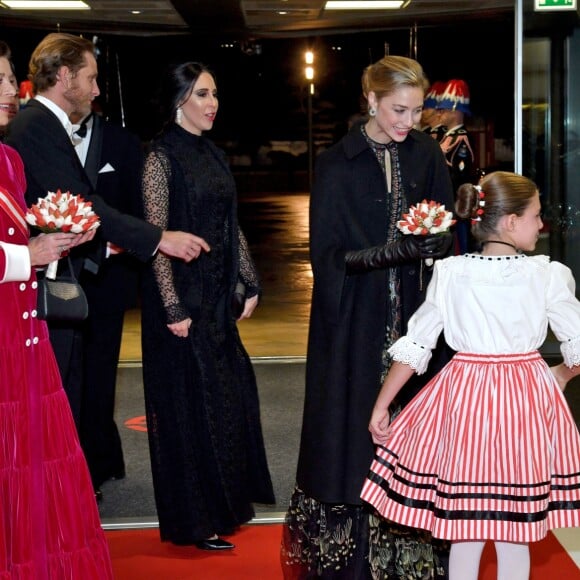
(276, 226)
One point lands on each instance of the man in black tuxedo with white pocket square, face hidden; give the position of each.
(112, 157)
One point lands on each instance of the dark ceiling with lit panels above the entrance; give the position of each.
(246, 19)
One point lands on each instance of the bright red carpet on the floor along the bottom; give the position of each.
(140, 554)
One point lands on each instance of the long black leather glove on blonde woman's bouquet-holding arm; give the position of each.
(407, 249)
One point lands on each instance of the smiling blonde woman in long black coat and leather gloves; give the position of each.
(368, 280)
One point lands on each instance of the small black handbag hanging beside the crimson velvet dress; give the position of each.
(62, 298)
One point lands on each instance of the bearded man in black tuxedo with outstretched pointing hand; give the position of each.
(63, 71)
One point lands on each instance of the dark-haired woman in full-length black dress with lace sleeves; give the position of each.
(203, 419)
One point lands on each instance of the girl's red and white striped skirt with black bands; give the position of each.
(488, 450)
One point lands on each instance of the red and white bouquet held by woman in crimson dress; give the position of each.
(62, 212)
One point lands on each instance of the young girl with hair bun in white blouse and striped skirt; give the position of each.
(488, 450)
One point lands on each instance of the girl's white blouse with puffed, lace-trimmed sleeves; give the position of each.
(494, 305)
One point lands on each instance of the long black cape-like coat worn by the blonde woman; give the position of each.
(348, 314)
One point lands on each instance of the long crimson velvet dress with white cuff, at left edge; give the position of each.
(49, 522)
